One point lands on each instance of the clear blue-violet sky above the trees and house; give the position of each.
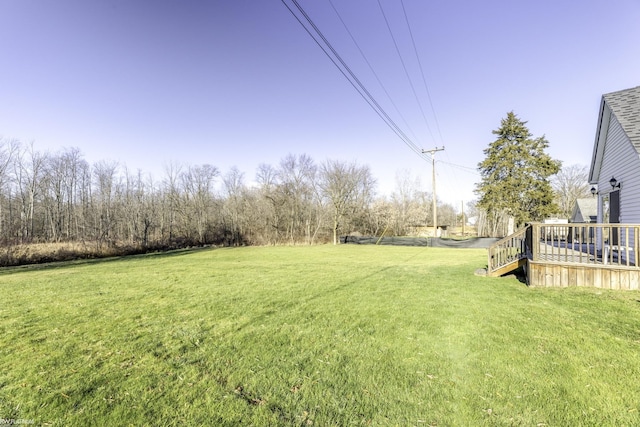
(240, 82)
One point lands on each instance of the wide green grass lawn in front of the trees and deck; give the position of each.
(347, 335)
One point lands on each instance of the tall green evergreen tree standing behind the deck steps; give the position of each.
(515, 175)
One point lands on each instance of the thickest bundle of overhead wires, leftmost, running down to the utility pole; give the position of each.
(355, 82)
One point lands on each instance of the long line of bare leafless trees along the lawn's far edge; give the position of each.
(60, 197)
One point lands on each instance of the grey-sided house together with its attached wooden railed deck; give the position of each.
(604, 253)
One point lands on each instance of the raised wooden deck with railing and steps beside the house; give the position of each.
(595, 255)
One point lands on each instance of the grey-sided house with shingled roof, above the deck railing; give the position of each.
(615, 164)
